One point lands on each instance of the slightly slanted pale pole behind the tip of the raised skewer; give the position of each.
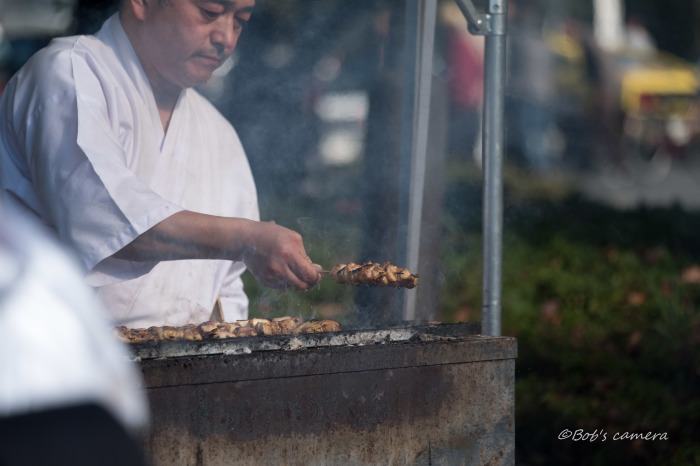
(420, 35)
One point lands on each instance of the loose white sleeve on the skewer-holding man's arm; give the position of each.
(80, 174)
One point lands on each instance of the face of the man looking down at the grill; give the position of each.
(188, 39)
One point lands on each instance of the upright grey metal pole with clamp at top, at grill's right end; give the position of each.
(493, 150)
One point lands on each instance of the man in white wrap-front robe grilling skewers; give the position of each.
(103, 138)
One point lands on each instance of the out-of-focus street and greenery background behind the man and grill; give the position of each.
(601, 278)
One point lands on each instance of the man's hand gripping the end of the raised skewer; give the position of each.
(277, 258)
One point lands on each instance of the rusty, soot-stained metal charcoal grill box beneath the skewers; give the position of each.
(421, 394)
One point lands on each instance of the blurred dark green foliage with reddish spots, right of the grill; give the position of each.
(605, 308)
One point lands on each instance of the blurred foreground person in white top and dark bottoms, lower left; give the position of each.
(68, 394)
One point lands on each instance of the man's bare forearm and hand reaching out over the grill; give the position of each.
(274, 255)
